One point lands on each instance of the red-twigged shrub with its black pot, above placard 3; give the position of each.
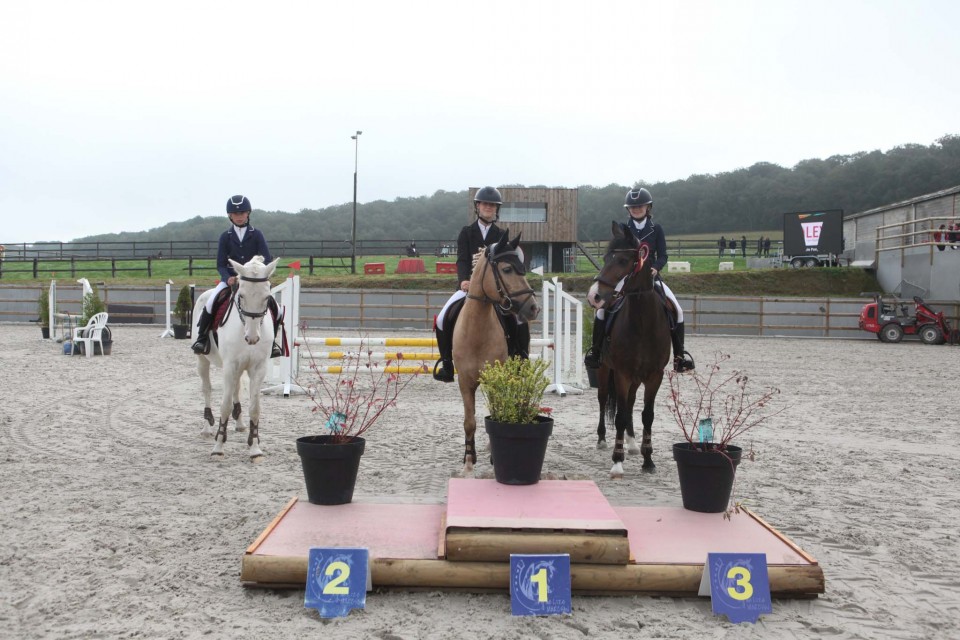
(713, 407)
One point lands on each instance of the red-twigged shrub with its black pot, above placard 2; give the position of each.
(347, 403)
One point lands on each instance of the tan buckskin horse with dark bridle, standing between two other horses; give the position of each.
(498, 285)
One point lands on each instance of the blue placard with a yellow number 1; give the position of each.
(539, 584)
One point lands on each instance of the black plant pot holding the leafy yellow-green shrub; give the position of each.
(518, 450)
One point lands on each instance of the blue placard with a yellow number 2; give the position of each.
(336, 580)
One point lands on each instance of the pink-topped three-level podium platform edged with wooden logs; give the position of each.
(466, 543)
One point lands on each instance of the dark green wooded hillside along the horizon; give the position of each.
(743, 200)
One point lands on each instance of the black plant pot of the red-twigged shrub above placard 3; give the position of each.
(706, 476)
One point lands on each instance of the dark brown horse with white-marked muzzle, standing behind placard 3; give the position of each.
(637, 348)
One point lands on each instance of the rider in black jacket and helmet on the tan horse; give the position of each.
(480, 233)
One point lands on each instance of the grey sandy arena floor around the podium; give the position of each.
(118, 525)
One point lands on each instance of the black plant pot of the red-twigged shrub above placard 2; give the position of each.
(329, 469)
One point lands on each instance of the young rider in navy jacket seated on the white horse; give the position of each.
(239, 243)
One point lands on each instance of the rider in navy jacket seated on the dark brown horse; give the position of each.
(639, 204)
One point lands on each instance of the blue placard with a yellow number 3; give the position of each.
(739, 585)
